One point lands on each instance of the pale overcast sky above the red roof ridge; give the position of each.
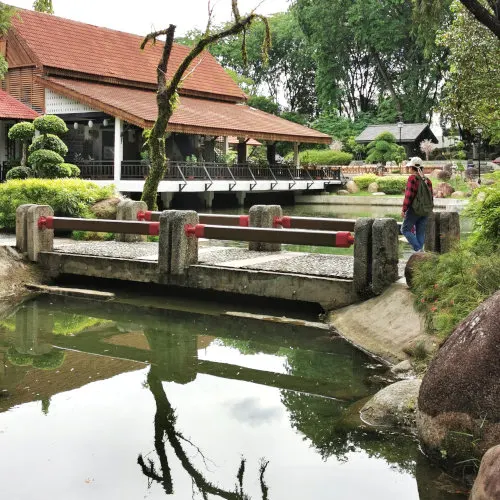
(139, 17)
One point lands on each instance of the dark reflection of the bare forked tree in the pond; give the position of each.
(164, 424)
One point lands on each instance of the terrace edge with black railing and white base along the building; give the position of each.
(215, 177)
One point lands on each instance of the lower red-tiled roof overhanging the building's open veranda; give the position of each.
(192, 116)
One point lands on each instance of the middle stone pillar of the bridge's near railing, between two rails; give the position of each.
(177, 251)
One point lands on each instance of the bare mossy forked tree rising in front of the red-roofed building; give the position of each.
(167, 96)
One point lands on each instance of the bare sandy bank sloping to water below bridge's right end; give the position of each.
(384, 326)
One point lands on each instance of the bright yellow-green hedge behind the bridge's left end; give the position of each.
(68, 197)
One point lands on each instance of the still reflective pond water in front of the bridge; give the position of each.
(112, 401)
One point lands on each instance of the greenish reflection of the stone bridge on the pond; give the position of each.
(169, 344)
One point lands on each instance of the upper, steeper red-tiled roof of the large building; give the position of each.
(77, 47)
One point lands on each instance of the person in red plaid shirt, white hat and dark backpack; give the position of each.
(417, 206)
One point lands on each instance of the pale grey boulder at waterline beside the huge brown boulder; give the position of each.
(393, 406)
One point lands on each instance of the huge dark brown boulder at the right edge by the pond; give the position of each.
(459, 404)
